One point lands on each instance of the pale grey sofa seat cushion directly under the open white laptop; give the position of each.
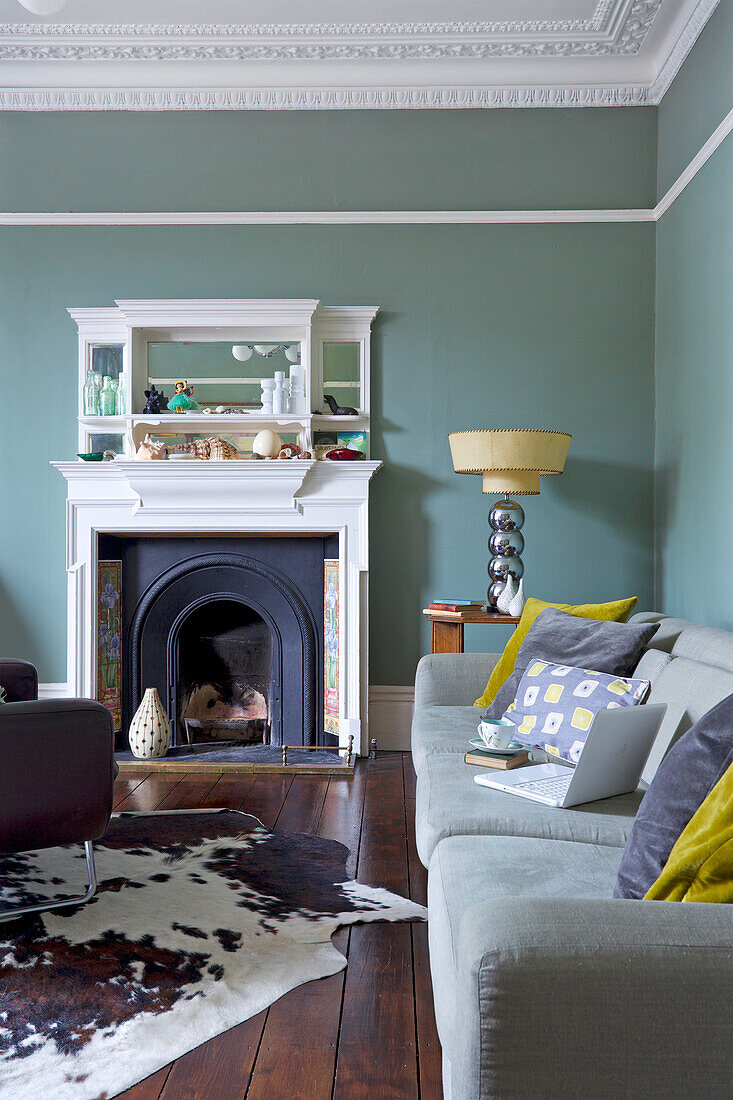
(450, 804)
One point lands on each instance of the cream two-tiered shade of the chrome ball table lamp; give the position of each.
(510, 460)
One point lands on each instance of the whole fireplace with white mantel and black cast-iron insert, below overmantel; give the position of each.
(178, 511)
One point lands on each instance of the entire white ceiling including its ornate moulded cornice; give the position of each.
(154, 54)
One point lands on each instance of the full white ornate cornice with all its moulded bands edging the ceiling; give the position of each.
(347, 65)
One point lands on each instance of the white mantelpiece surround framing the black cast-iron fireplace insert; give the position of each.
(204, 501)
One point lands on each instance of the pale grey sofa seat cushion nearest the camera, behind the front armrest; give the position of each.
(466, 871)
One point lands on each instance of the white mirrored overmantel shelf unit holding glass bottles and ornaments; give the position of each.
(231, 358)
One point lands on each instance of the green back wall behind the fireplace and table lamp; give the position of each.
(546, 326)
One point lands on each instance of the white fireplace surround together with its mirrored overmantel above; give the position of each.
(217, 513)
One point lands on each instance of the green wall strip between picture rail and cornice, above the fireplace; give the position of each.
(329, 160)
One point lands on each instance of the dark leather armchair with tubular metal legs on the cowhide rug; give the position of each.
(57, 773)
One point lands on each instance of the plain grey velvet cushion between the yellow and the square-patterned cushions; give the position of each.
(586, 644)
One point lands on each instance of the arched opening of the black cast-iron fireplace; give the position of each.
(224, 674)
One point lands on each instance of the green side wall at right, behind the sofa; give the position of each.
(694, 452)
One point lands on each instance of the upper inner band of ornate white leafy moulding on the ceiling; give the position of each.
(606, 35)
